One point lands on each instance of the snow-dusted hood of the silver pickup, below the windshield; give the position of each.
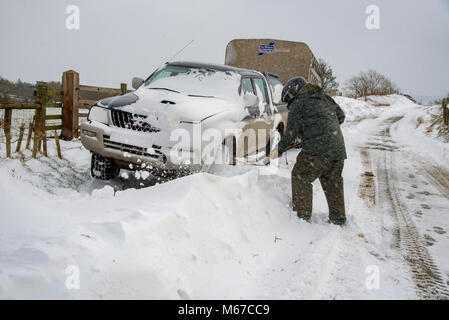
(163, 103)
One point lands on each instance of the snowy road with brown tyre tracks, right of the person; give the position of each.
(396, 183)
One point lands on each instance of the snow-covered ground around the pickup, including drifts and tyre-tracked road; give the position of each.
(230, 233)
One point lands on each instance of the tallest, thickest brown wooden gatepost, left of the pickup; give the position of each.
(70, 102)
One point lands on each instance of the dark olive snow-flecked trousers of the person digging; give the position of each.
(307, 170)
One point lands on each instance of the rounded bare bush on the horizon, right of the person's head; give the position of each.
(368, 83)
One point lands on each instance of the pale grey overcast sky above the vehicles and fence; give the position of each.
(120, 39)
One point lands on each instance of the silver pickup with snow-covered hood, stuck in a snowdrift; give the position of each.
(185, 116)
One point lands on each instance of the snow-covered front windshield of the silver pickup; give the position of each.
(203, 82)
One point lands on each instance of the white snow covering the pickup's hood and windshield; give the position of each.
(190, 98)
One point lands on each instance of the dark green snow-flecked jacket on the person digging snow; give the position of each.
(315, 118)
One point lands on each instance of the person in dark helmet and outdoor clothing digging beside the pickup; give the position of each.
(315, 118)
